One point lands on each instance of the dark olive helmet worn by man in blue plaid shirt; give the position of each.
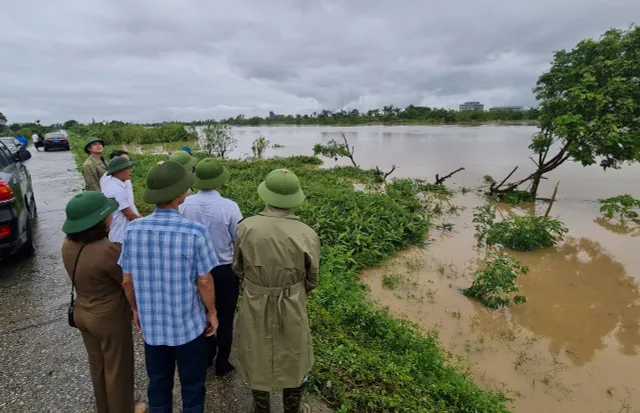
(166, 181)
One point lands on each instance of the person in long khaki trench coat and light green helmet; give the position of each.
(276, 258)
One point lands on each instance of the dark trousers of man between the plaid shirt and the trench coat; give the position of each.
(227, 290)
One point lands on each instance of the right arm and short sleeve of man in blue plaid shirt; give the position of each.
(206, 259)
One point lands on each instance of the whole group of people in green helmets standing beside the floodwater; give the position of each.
(177, 274)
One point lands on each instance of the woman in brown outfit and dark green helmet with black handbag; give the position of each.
(100, 311)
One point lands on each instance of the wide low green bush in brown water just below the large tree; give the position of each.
(526, 233)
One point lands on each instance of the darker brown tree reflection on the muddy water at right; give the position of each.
(578, 295)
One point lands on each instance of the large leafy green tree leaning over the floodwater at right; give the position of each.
(589, 107)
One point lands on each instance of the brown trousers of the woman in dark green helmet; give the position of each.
(109, 342)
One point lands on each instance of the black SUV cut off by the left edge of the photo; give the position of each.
(17, 205)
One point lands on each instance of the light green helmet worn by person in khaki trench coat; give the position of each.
(281, 189)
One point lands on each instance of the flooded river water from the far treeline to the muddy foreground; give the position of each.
(573, 347)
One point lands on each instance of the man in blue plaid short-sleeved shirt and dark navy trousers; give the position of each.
(166, 263)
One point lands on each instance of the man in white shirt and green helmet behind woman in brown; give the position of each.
(119, 171)
